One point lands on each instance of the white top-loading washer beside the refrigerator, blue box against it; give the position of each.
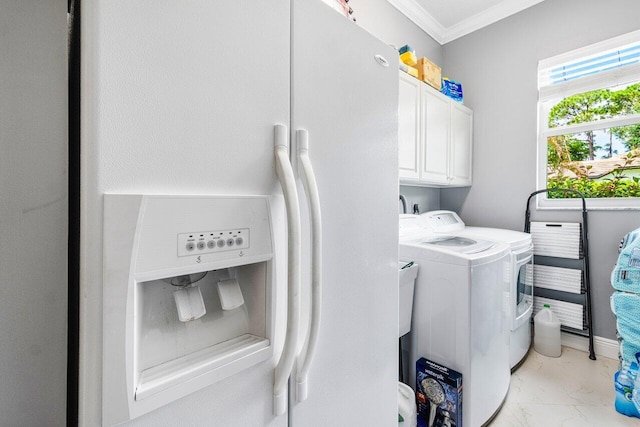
(459, 319)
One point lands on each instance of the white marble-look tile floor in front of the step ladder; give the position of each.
(568, 391)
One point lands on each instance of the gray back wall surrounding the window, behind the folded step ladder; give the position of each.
(497, 67)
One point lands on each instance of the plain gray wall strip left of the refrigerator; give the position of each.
(33, 212)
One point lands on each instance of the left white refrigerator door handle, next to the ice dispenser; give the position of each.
(286, 177)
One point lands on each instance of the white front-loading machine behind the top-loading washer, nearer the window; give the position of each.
(520, 296)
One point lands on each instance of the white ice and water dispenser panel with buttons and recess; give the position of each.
(188, 296)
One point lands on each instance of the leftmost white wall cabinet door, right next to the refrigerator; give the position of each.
(409, 128)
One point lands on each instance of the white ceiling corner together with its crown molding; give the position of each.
(446, 20)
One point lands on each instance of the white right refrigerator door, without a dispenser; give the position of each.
(347, 101)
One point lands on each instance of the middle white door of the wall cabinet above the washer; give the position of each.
(436, 128)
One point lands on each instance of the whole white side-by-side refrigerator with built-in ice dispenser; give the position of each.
(189, 99)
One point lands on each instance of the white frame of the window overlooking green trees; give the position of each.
(605, 79)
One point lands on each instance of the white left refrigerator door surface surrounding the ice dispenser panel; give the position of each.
(178, 98)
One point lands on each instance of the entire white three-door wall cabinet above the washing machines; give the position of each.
(435, 137)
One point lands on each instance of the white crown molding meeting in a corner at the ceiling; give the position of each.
(423, 19)
